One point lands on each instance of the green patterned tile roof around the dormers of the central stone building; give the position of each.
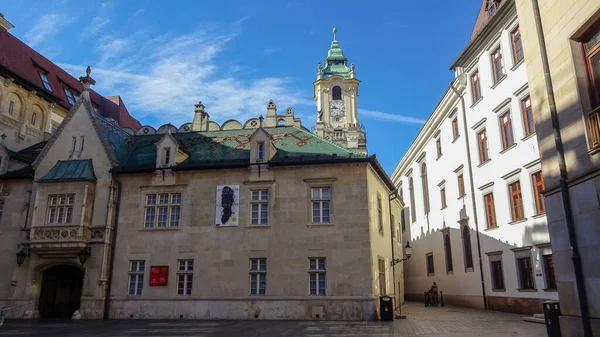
(232, 147)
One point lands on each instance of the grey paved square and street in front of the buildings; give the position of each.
(421, 321)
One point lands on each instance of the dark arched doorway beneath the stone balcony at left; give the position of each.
(60, 293)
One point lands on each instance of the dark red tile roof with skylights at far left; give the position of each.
(23, 62)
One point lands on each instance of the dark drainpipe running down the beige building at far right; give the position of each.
(564, 188)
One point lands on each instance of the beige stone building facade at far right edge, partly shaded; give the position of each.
(570, 37)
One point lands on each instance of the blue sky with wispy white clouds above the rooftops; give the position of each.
(162, 57)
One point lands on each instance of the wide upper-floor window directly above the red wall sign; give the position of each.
(162, 210)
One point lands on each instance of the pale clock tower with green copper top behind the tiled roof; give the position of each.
(336, 92)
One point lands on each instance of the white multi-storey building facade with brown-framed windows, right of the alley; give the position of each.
(475, 213)
